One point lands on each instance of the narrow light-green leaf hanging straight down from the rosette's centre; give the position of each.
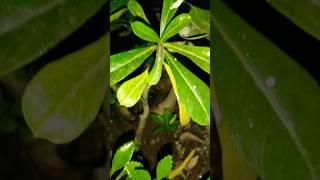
(156, 71)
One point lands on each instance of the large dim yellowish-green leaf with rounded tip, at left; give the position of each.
(63, 99)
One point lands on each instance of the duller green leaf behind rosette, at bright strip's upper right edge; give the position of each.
(200, 19)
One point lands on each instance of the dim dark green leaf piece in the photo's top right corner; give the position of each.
(305, 14)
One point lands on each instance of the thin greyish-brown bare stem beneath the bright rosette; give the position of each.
(143, 117)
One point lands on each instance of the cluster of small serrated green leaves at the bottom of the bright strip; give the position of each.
(134, 170)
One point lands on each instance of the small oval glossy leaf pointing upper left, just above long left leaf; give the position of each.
(144, 32)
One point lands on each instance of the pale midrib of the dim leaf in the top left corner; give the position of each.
(41, 11)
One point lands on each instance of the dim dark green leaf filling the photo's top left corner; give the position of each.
(28, 29)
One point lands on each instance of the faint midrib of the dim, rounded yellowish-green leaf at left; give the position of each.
(72, 90)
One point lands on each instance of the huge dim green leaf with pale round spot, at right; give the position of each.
(270, 103)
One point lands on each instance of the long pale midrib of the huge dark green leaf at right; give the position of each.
(275, 105)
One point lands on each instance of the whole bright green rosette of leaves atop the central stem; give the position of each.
(192, 93)
